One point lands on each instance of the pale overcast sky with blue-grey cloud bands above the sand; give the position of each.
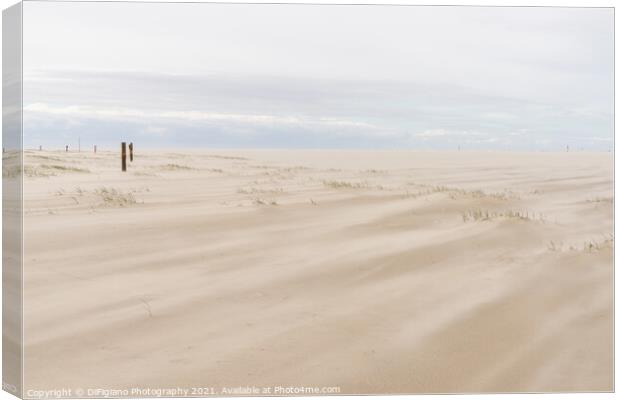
(303, 76)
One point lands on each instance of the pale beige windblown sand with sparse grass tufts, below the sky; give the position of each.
(374, 271)
